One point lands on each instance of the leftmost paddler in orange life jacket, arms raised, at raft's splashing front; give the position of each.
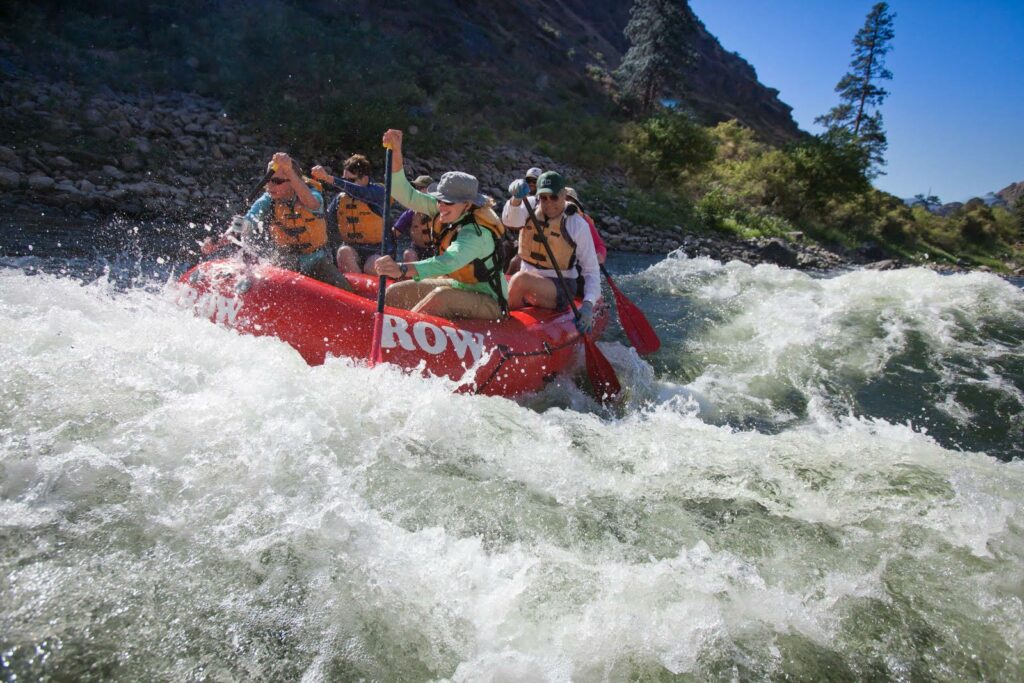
(289, 217)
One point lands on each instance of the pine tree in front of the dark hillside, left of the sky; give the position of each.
(660, 52)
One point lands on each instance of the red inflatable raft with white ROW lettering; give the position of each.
(519, 355)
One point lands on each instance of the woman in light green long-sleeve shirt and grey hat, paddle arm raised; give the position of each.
(465, 280)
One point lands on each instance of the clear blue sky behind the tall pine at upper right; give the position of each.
(956, 113)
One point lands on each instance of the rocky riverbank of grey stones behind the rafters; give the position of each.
(180, 158)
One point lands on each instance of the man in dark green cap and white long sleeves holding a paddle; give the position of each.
(570, 238)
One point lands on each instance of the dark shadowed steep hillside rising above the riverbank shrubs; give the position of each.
(441, 65)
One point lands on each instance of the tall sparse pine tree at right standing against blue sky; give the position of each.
(860, 92)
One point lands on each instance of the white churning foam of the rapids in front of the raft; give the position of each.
(212, 489)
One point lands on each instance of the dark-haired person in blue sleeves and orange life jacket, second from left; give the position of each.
(355, 218)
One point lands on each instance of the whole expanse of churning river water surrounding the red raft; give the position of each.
(819, 478)
